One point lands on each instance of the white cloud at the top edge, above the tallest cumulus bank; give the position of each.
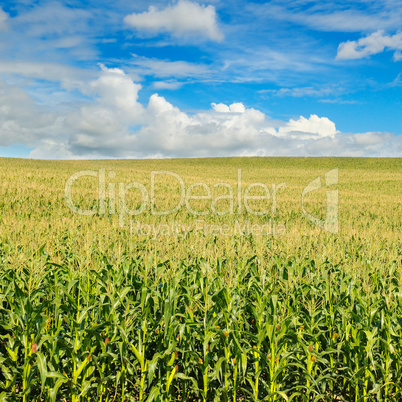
(183, 19)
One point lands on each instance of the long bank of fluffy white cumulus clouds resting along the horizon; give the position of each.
(111, 122)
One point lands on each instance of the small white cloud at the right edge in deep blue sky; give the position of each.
(375, 43)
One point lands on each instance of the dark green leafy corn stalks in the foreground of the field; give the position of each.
(132, 334)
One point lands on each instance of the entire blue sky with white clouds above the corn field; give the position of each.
(133, 79)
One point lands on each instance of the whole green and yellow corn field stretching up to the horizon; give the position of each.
(104, 307)
